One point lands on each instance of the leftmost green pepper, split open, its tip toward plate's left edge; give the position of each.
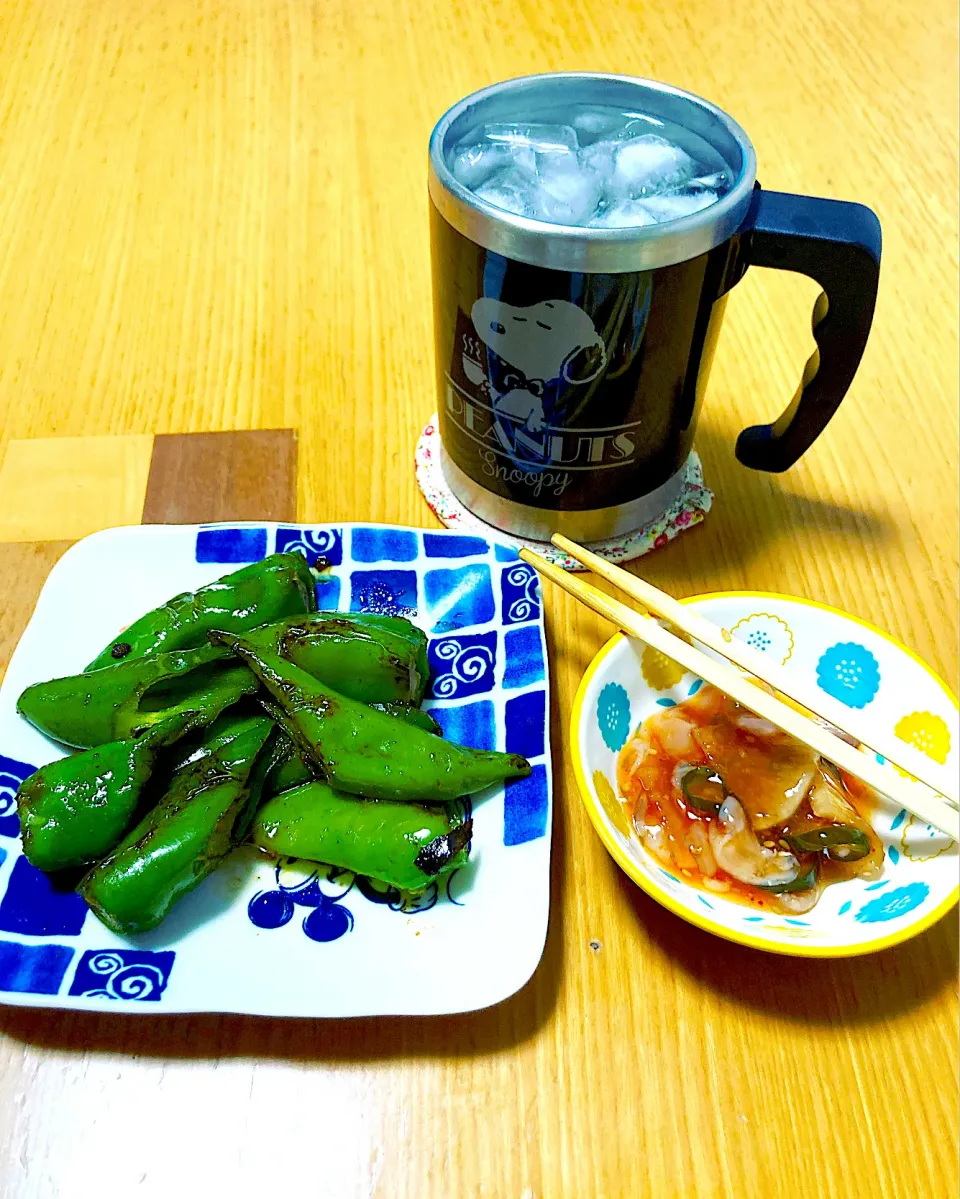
(126, 700)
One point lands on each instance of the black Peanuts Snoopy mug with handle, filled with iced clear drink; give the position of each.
(585, 233)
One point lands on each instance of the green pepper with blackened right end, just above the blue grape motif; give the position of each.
(407, 846)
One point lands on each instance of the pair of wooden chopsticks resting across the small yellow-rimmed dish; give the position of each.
(921, 797)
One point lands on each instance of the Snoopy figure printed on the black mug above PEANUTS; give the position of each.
(552, 342)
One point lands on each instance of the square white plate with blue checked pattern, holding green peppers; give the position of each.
(291, 939)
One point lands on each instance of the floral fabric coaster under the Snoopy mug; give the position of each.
(689, 510)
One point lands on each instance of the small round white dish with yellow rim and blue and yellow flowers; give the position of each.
(850, 660)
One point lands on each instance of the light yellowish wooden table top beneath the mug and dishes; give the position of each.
(213, 218)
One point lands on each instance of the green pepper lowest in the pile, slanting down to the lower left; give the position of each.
(178, 843)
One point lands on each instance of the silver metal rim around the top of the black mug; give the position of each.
(591, 251)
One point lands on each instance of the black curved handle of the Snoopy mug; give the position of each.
(838, 245)
